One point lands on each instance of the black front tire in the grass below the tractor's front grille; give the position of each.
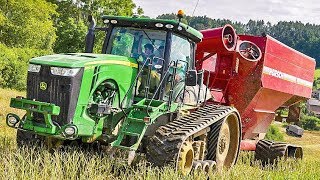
(28, 139)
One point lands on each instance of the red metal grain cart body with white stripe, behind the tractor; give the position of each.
(257, 75)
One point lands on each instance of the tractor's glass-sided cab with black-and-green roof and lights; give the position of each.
(164, 51)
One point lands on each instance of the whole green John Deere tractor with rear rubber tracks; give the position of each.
(124, 97)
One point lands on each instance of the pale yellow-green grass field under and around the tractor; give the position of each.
(75, 164)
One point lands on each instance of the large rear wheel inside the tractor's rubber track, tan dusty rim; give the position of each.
(224, 141)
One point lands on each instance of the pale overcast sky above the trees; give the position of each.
(306, 11)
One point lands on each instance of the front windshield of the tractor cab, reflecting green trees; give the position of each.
(137, 43)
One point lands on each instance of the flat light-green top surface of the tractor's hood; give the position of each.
(75, 60)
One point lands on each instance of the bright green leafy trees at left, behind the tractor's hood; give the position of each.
(30, 28)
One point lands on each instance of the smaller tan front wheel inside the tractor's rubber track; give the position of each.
(185, 159)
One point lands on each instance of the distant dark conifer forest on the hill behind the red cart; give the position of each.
(302, 37)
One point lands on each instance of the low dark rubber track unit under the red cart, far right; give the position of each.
(269, 151)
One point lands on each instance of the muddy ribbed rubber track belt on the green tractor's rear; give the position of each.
(163, 148)
